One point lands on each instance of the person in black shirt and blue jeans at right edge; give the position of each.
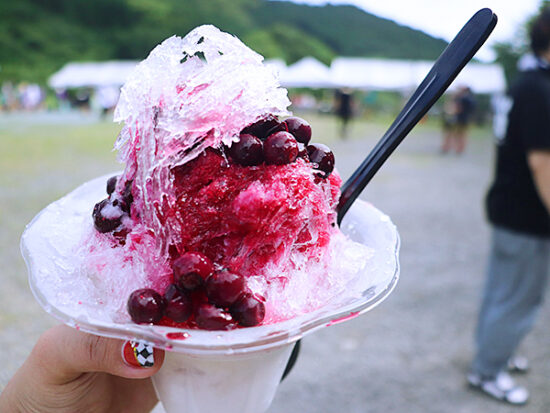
(518, 205)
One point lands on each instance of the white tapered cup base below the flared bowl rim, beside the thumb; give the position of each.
(233, 383)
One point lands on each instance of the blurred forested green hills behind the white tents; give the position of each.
(38, 37)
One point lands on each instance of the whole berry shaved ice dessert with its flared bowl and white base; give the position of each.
(222, 219)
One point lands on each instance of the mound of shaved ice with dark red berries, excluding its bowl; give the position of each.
(224, 215)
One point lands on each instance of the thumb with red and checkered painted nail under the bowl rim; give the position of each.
(65, 353)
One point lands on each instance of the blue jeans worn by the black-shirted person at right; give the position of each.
(516, 280)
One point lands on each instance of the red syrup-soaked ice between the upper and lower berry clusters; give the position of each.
(244, 217)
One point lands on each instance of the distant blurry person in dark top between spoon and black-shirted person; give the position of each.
(458, 115)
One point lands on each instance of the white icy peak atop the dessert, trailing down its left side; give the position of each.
(189, 94)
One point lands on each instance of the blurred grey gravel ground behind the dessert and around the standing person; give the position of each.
(412, 352)
